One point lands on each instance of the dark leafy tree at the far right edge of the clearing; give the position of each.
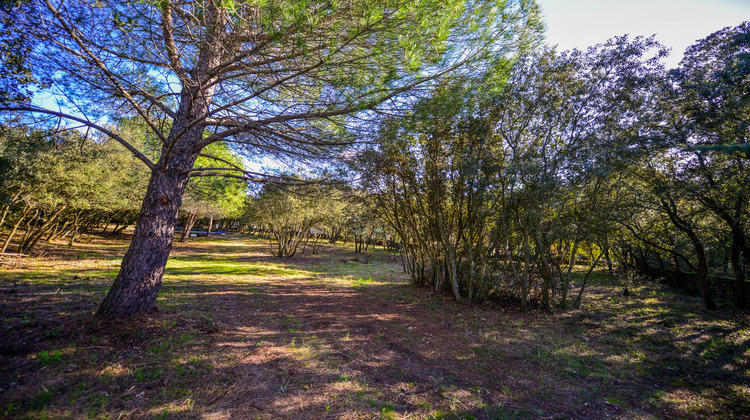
(691, 208)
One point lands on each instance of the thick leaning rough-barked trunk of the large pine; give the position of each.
(137, 285)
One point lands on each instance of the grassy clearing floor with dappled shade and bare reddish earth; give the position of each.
(240, 334)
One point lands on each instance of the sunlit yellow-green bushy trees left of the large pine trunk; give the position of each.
(55, 182)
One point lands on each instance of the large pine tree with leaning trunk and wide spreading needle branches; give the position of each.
(277, 78)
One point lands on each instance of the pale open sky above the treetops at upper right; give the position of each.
(676, 23)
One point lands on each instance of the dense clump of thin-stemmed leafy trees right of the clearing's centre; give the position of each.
(500, 172)
